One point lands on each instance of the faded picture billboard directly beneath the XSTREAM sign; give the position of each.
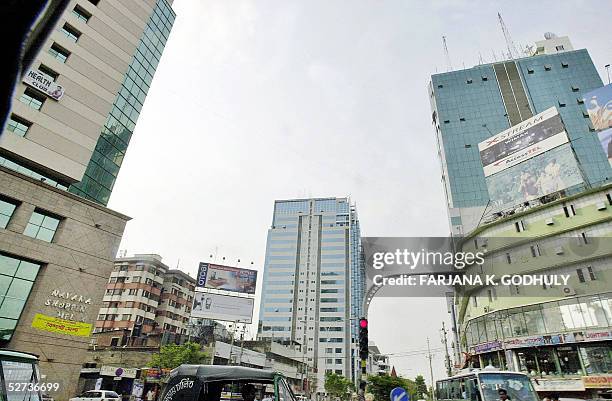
(545, 174)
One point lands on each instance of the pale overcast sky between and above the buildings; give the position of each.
(261, 100)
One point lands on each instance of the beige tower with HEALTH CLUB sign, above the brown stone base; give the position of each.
(75, 111)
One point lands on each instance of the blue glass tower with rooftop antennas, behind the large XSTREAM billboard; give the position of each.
(473, 104)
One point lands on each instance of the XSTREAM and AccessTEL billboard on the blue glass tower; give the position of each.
(532, 137)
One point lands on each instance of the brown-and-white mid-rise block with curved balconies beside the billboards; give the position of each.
(146, 297)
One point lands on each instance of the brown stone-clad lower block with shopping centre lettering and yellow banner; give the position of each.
(56, 252)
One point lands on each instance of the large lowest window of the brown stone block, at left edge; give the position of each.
(17, 278)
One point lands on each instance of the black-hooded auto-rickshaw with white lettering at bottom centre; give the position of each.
(211, 382)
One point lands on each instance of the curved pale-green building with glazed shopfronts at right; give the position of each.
(558, 333)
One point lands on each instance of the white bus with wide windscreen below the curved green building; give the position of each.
(484, 384)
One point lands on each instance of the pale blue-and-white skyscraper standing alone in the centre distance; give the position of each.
(313, 284)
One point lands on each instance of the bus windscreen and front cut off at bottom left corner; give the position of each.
(19, 376)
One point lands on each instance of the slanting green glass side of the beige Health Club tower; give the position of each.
(108, 155)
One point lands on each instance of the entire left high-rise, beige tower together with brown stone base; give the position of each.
(69, 126)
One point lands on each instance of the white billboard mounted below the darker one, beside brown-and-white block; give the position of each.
(222, 307)
